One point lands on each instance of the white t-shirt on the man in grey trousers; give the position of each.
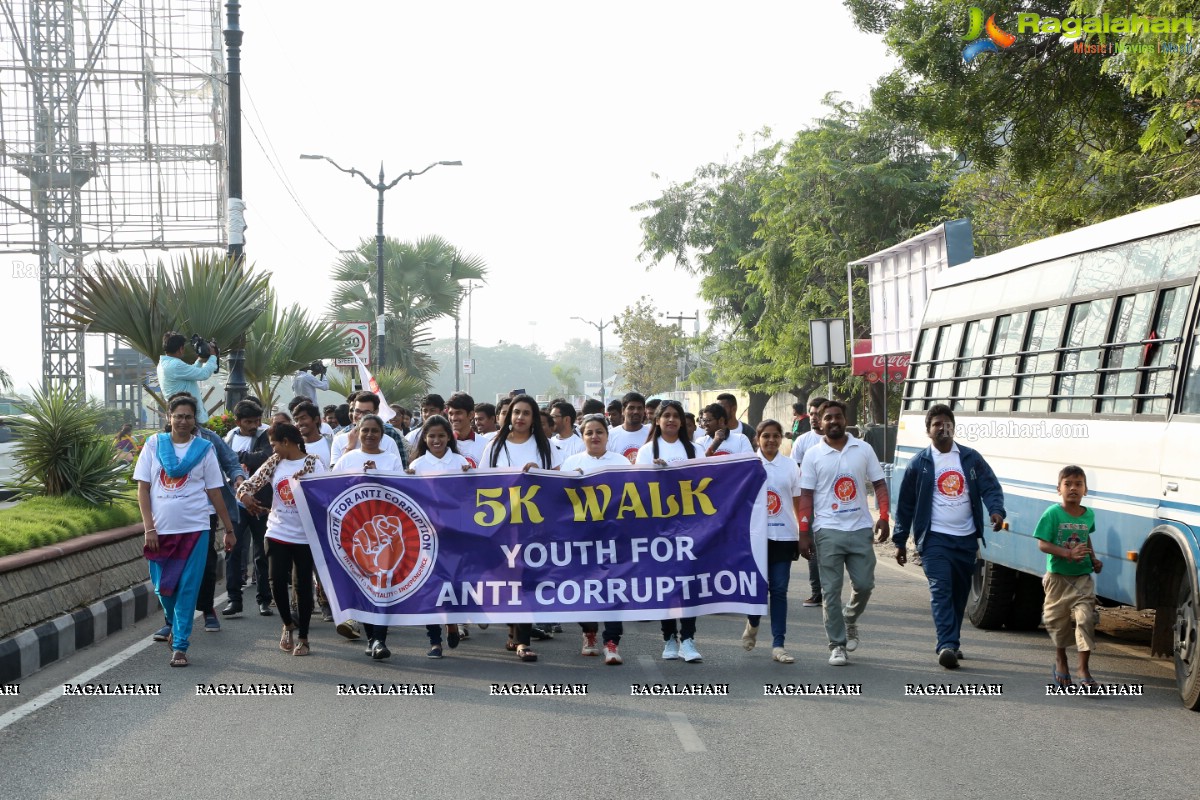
(839, 482)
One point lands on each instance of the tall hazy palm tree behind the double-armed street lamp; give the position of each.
(423, 281)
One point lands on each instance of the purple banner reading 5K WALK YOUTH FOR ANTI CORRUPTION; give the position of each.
(505, 546)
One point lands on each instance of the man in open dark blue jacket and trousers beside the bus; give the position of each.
(941, 502)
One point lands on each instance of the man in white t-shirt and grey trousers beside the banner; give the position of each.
(833, 485)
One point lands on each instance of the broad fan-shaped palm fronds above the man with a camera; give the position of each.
(201, 293)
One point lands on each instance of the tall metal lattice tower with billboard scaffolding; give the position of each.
(112, 139)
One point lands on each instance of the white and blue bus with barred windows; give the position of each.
(1081, 350)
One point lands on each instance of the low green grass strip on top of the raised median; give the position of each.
(39, 522)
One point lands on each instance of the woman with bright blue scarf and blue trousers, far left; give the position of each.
(179, 482)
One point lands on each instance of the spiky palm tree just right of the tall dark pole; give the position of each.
(283, 341)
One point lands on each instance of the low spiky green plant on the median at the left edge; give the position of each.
(62, 452)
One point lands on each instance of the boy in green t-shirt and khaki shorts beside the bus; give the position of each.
(1064, 534)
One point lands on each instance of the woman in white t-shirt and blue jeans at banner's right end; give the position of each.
(783, 537)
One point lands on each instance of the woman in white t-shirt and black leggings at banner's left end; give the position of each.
(286, 544)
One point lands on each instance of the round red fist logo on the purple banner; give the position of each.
(383, 540)
